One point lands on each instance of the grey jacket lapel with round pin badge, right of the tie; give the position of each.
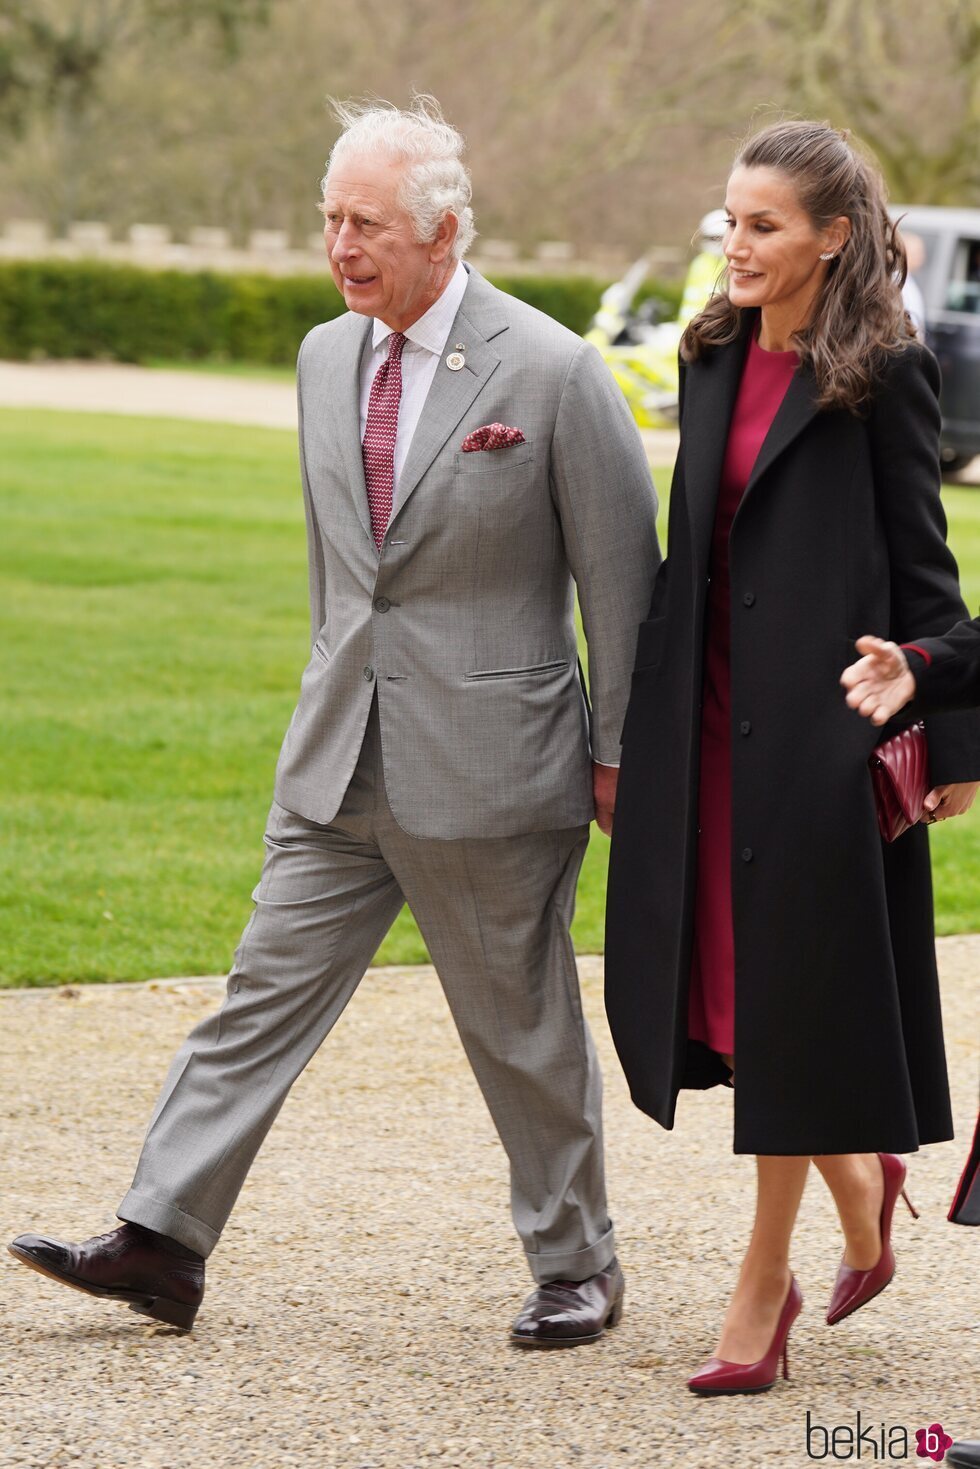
(452, 393)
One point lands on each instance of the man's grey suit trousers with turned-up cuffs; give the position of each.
(496, 916)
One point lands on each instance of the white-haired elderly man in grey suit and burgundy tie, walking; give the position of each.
(466, 463)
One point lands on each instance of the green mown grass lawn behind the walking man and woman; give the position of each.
(154, 628)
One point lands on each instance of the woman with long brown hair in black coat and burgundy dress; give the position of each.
(757, 926)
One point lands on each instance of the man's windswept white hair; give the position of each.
(436, 181)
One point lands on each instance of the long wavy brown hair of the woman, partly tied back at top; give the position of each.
(859, 318)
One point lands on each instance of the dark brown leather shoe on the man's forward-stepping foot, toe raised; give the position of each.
(154, 1276)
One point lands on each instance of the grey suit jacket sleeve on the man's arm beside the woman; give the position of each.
(608, 506)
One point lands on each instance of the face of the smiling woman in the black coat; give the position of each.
(772, 246)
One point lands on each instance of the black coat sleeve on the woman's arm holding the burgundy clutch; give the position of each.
(904, 434)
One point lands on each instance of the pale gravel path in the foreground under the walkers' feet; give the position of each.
(359, 1302)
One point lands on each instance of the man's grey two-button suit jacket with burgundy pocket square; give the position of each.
(464, 625)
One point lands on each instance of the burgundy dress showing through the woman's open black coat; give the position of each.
(712, 1004)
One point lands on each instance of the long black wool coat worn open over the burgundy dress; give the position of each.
(838, 1029)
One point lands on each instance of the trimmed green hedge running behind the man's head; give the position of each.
(124, 314)
